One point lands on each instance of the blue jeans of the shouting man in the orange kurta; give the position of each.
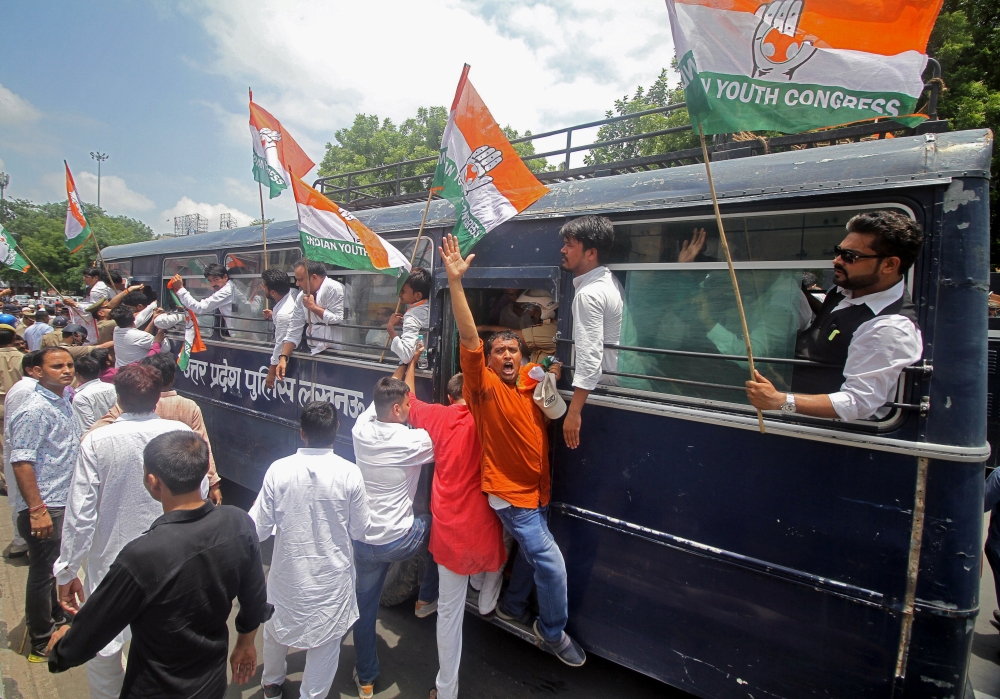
(538, 561)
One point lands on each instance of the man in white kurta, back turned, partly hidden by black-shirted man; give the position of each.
(108, 507)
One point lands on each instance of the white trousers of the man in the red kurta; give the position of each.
(451, 611)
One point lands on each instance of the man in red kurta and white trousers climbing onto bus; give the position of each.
(466, 537)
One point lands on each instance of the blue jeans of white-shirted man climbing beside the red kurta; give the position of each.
(372, 562)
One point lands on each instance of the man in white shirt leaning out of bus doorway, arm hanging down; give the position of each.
(597, 312)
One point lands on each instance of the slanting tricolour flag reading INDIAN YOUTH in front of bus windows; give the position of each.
(334, 235)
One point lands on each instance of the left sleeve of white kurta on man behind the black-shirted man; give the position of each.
(80, 520)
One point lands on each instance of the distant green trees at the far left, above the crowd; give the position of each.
(39, 231)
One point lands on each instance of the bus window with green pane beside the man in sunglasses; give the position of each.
(678, 296)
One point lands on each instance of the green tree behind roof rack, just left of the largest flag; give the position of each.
(659, 95)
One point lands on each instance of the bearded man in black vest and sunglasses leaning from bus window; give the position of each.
(866, 328)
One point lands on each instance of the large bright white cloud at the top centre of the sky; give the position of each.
(538, 64)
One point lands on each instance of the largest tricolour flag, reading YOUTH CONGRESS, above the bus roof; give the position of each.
(796, 65)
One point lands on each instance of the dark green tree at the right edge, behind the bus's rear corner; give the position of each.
(966, 40)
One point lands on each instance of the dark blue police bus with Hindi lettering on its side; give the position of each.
(818, 559)
